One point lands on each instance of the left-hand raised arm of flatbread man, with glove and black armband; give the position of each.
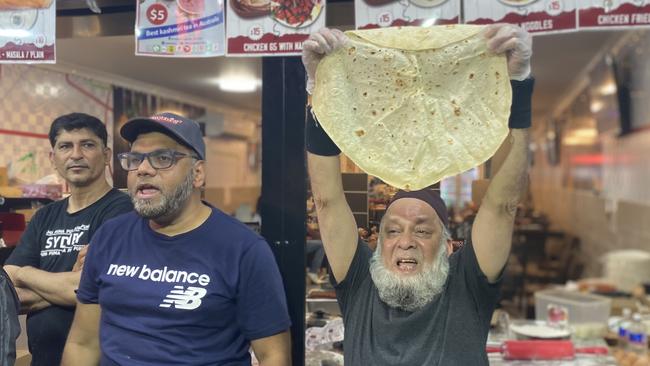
(337, 226)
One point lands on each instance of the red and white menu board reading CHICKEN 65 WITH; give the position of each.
(271, 28)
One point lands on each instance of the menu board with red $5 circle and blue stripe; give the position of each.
(180, 28)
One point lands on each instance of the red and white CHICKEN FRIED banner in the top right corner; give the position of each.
(609, 14)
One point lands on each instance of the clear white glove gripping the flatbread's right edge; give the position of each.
(516, 43)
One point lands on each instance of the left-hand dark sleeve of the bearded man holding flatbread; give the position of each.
(358, 272)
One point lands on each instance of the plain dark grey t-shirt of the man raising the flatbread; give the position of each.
(450, 330)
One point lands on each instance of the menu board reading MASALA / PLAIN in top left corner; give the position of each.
(27, 31)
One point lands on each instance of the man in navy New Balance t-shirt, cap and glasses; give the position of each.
(177, 282)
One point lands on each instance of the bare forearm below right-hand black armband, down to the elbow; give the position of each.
(509, 183)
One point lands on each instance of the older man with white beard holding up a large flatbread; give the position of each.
(413, 301)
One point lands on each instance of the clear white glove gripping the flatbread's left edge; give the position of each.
(317, 46)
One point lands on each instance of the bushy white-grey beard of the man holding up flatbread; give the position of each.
(410, 293)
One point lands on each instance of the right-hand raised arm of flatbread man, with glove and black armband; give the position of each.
(492, 230)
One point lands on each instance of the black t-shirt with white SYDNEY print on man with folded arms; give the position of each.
(51, 243)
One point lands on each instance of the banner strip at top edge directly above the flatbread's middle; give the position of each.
(388, 13)
